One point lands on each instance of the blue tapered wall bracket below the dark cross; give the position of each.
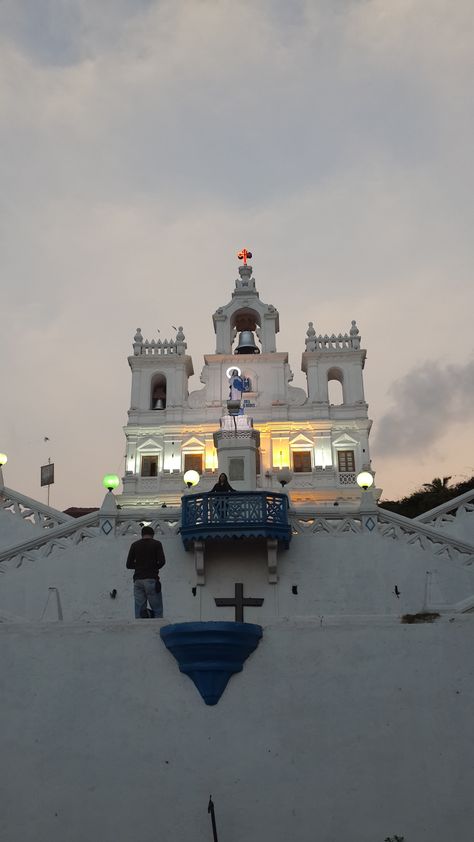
(211, 652)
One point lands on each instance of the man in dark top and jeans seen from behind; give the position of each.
(146, 558)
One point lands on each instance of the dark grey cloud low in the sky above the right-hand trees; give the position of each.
(428, 399)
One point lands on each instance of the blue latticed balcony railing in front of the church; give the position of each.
(242, 514)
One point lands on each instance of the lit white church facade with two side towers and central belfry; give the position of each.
(170, 430)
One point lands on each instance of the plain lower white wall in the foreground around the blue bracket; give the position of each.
(351, 730)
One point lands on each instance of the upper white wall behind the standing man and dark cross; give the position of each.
(343, 574)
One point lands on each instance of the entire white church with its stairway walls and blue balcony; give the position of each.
(313, 669)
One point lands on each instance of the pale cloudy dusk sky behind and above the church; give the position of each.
(145, 142)
